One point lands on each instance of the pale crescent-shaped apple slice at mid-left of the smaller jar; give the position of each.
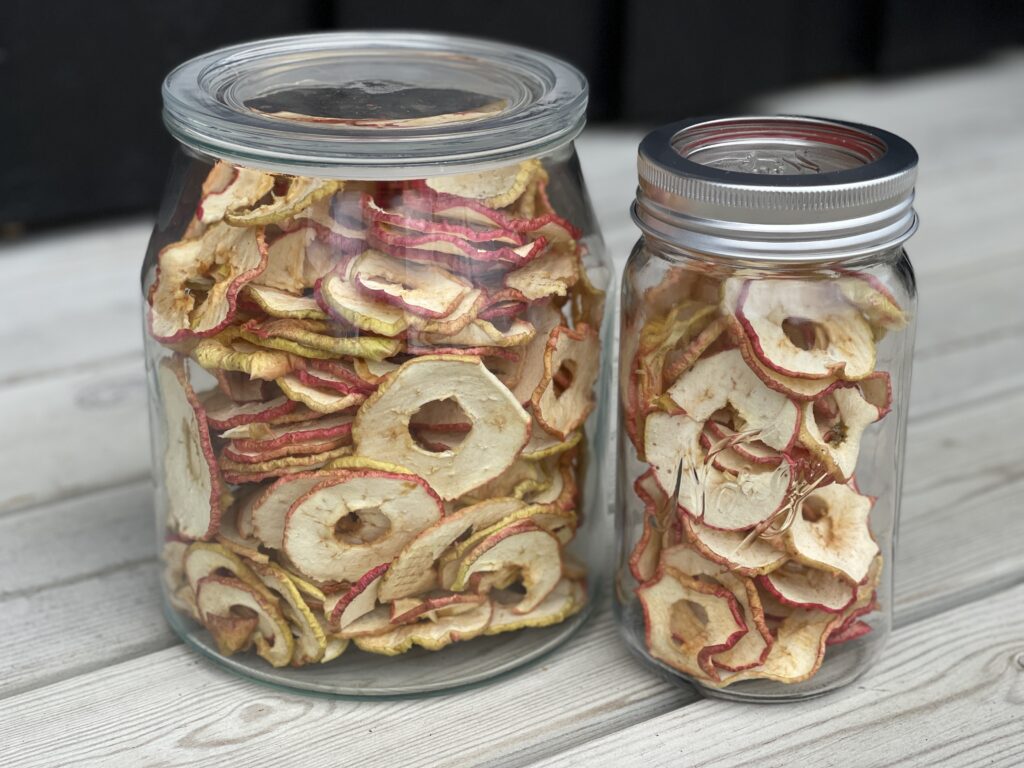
(721, 500)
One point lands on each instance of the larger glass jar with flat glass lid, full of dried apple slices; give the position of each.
(374, 314)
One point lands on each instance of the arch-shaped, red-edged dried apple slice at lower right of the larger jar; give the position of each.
(523, 545)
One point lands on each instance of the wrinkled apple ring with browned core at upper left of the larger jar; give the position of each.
(198, 282)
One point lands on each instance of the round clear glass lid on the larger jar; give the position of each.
(279, 105)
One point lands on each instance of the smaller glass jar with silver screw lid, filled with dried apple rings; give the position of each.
(767, 328)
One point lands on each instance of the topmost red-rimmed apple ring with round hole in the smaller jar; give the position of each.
(806, 329)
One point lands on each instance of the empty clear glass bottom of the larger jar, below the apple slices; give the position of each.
(361, 675)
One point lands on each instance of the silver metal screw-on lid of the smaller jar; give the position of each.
(781, 189)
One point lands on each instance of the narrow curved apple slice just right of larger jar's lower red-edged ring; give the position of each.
(412, 572)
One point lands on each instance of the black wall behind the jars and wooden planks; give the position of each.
(80, 125)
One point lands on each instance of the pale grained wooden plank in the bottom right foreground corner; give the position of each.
(949, 691)
